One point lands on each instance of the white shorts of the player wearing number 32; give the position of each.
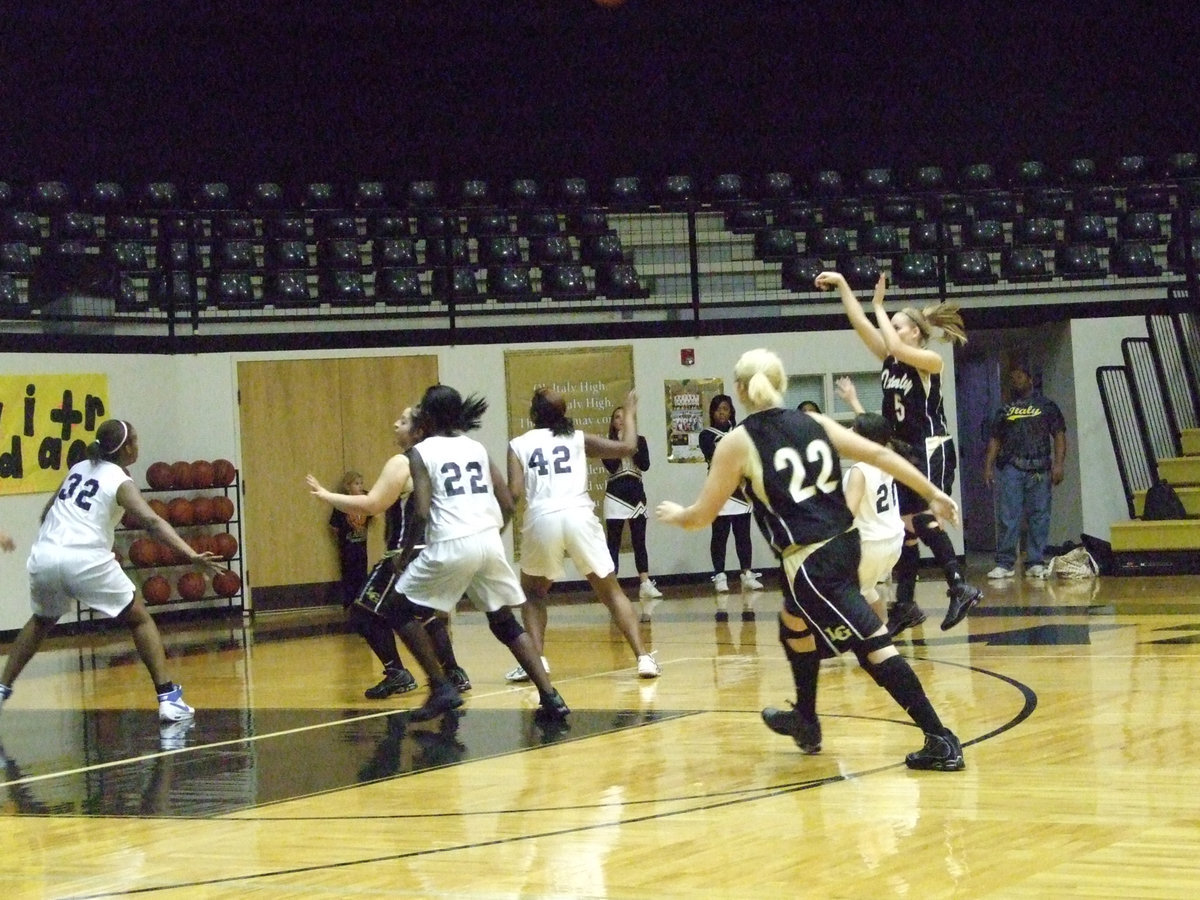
(58, 579)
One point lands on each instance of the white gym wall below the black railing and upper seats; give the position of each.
(185, 410)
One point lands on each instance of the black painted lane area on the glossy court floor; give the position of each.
(124, 764)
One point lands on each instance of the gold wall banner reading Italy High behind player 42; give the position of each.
(595, 381)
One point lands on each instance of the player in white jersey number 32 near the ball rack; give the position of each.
(73, 561)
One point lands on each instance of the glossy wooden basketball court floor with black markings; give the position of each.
(1078, 703)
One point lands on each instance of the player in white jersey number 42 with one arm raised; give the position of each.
(549, 467)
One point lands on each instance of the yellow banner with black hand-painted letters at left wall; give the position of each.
(46, 424)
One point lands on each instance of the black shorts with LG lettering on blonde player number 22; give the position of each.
(825, 593)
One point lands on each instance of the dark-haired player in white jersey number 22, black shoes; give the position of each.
(464, 502)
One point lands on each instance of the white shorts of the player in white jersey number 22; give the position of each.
(476, 566)
